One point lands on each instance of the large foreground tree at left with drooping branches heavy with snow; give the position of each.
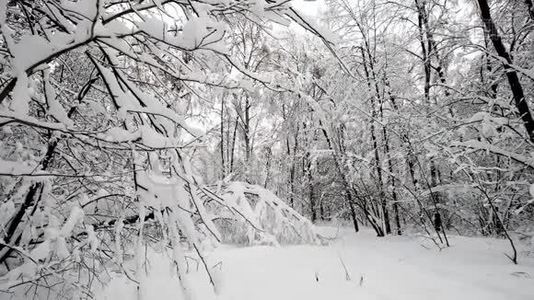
(95, 146)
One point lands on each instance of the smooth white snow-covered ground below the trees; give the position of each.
(387, 268)
